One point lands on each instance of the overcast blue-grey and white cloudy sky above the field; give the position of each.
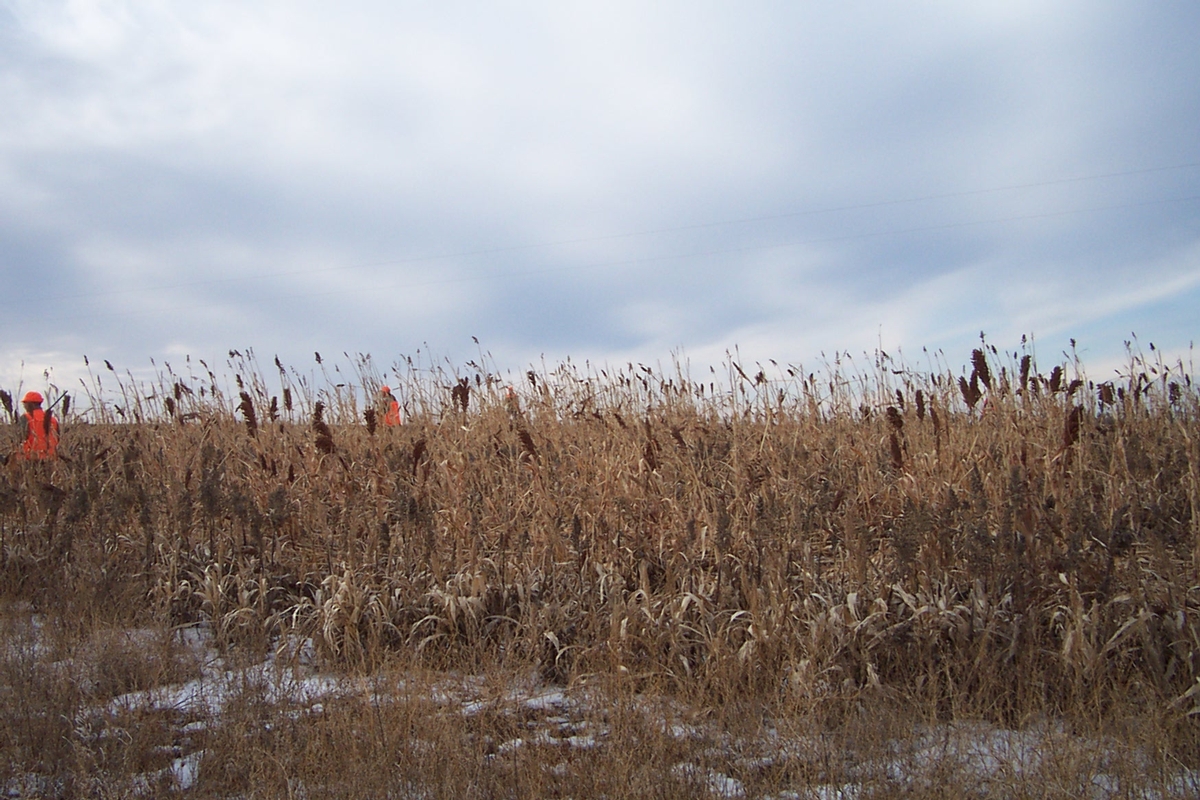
(603, 182)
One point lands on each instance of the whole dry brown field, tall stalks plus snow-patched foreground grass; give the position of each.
(867, 581)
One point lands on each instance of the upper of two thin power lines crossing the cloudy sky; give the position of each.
(655, 232)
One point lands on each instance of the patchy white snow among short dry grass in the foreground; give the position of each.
(567, 720)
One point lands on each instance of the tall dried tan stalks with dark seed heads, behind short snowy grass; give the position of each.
(771, 533)
